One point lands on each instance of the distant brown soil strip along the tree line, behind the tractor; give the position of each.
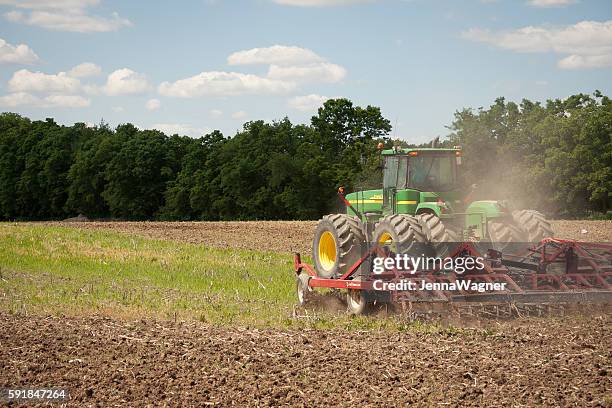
(288, 236)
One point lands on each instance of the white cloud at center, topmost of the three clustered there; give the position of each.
(276, 54)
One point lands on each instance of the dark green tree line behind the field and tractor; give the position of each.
(555, 157)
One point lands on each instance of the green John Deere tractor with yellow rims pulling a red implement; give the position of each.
(420, 203)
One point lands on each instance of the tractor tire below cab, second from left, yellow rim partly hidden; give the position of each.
(404, 232)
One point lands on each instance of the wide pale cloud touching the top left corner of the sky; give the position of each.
(63, 15)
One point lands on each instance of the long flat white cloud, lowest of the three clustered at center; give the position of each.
(223, 84)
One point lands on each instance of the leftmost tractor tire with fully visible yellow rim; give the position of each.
(337, 244)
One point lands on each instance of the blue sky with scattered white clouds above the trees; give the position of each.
(197, 65)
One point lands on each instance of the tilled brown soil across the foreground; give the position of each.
(104, 362)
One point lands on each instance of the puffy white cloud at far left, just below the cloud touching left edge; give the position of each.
(28, 81)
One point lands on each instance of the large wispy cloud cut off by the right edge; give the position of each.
(587, 44)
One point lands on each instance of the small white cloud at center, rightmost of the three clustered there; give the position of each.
(319, 72)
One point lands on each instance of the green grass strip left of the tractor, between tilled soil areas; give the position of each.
(69, 271)
